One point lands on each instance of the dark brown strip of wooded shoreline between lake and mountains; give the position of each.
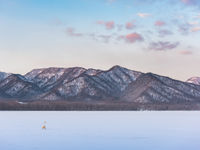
(93, 106)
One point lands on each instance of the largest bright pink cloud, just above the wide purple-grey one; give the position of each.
(131, 38)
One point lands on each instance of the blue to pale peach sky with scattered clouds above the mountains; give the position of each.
(159, 36)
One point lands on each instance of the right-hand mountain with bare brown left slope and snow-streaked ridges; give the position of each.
(153, 88)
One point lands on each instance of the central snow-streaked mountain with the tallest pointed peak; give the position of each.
(98, 85)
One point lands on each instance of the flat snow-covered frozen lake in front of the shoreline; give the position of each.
(100, 130)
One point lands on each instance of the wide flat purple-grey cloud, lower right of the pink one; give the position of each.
(163, 46)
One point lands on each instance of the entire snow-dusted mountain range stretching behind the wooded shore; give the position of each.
(80, 84)
